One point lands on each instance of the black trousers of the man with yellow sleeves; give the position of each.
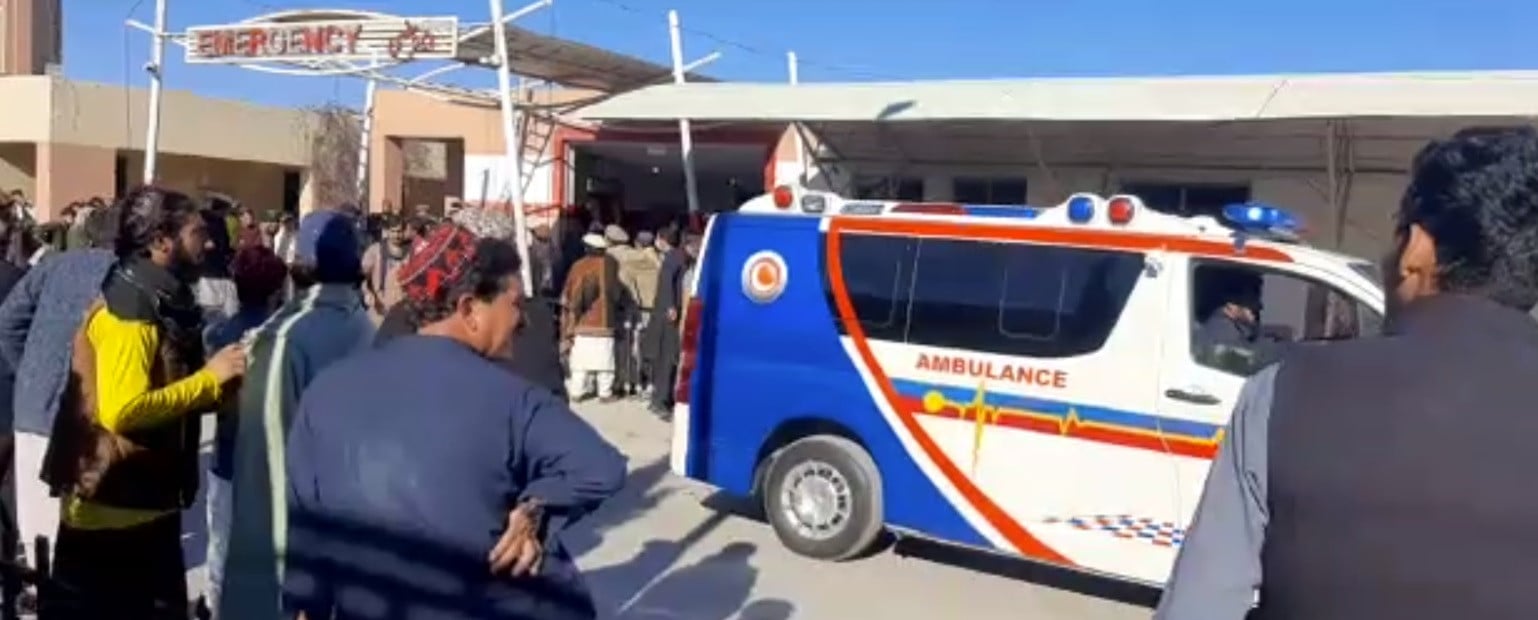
(122, 575)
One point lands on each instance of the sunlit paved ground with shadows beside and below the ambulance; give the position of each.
(657, 553)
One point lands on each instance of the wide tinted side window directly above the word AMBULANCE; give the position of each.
(1019, 299)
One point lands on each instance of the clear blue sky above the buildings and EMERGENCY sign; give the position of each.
(893, 39)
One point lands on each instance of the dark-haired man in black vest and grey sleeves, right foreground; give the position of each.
(1391, 478)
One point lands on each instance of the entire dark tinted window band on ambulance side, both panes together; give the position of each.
(991, 298)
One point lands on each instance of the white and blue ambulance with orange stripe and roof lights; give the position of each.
(1027, 381)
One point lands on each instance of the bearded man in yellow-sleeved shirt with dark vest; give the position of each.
(124, 455)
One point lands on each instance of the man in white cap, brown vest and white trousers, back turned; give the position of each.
(594, 302)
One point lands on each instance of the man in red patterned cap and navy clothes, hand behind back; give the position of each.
(427, 478)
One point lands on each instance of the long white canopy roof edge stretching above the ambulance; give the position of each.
(1145, 99)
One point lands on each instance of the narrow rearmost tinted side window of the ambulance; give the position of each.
(877, 275)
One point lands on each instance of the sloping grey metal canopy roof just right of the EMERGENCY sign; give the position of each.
(565, 62)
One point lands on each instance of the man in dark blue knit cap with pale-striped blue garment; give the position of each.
(322, 324)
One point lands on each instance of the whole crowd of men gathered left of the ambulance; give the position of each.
(351, 367)
